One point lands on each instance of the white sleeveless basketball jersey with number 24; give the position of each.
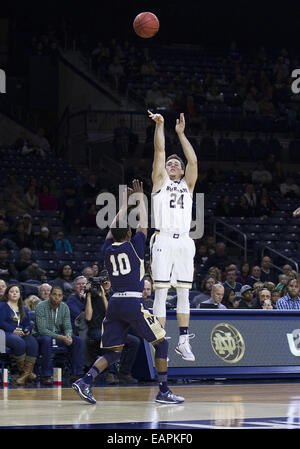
(172, 207)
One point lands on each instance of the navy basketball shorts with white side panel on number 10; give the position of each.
(124, 312)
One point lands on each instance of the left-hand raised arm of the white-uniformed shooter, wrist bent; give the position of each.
(159, 173)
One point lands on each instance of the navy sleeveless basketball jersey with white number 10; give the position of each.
(124, 262)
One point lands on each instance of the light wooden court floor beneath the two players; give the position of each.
(207, 406)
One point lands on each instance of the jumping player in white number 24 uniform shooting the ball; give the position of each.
(172, 250)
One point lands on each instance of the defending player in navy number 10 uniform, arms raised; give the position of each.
(124, 260)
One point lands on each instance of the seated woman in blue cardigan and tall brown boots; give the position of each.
(15, 321)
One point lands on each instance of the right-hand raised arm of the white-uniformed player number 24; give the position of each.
(191, 172)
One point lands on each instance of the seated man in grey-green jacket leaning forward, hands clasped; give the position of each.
(46, 328)
